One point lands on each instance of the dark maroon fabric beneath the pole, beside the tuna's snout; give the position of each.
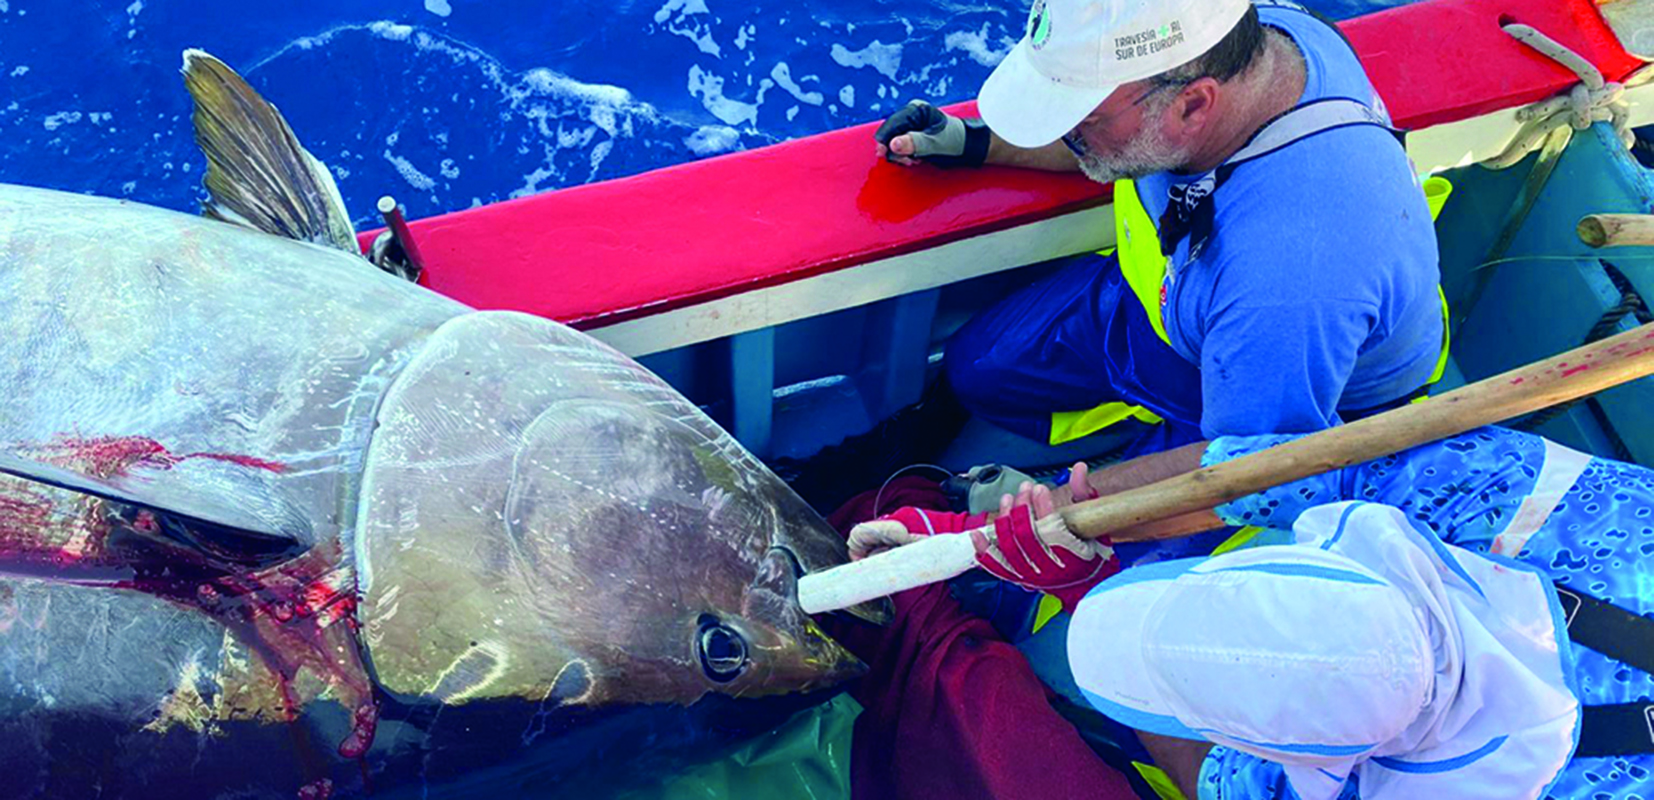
(954, 712)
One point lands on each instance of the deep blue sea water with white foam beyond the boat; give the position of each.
(457, 103)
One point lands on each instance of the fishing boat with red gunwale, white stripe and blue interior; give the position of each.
(803, 293)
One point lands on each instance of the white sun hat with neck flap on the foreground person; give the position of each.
(1369, 649)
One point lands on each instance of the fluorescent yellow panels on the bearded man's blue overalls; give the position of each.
(1145, 272)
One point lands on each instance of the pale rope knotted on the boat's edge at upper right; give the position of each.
(1594, 100)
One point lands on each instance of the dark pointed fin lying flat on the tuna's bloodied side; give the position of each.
(224, 533)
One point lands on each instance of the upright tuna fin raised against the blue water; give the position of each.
(257, 171)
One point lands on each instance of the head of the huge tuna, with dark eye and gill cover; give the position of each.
(545, 520)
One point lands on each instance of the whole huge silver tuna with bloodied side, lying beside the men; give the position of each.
(275, 523)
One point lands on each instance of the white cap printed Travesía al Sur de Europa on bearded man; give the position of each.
(1076, 54)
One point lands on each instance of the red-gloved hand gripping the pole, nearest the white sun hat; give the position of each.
(1043, 555)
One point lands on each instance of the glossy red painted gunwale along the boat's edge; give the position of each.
(692, 234)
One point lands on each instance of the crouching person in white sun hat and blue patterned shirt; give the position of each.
(1468, 619)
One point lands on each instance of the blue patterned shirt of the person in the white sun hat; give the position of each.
(1600, 541)
